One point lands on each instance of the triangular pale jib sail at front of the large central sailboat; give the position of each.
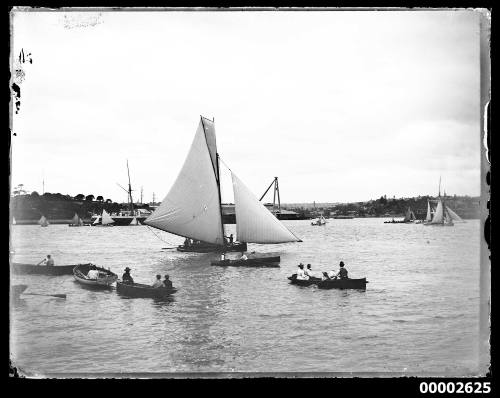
(254, 223)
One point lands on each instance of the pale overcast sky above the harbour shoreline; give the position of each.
(341, 106)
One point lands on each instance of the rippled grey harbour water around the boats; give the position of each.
(419, 314)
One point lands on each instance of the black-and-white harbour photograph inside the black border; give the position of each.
(249, 192)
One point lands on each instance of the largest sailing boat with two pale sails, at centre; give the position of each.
(192, 207)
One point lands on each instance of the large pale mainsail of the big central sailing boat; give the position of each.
(192, 207)
